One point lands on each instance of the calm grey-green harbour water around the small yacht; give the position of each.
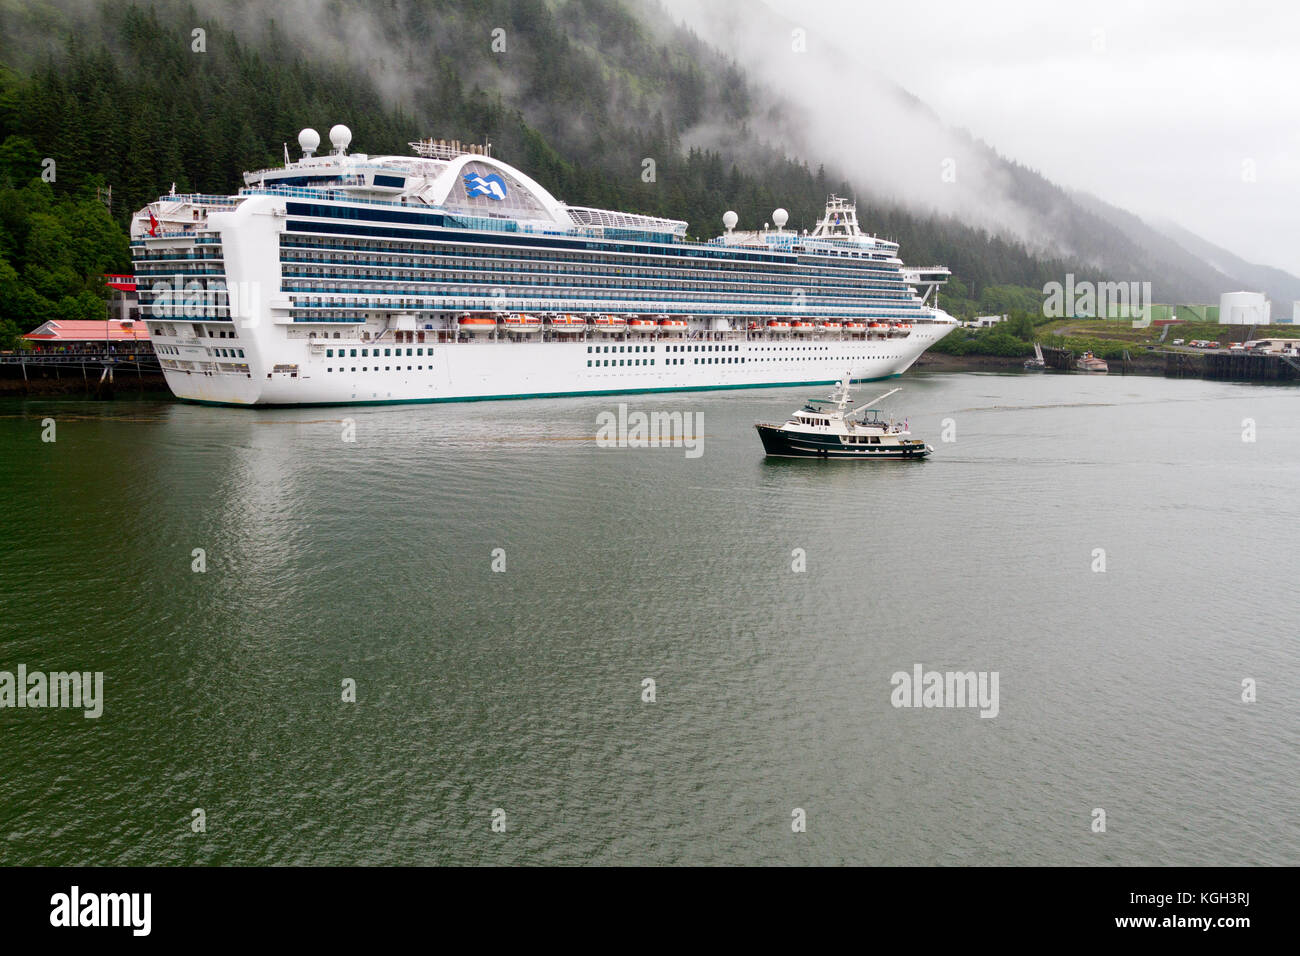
(372, 561)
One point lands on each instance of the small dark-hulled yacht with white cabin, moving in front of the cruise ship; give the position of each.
(826, 429)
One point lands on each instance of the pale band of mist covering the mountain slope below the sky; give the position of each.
(891, 145)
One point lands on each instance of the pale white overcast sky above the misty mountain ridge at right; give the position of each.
(1188, 111)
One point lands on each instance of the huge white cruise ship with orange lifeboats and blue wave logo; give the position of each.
(449, 275)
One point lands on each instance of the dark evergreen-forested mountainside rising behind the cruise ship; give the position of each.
(140, 94)
